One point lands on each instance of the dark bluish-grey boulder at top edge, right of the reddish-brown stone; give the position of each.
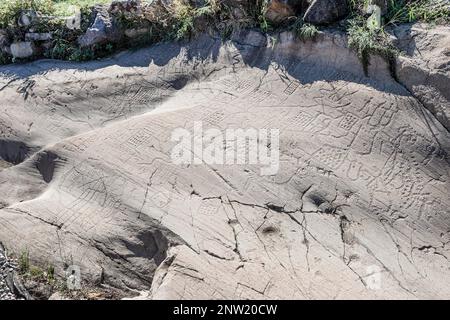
(326, 11)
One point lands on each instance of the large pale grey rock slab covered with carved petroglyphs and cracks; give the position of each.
(359, 207)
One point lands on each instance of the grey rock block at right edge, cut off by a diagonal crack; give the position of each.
(424, 68)
